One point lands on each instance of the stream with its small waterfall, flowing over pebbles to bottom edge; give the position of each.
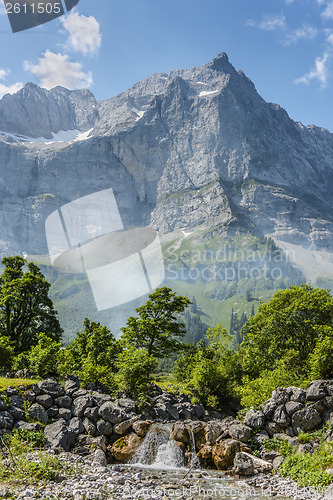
(159, 458)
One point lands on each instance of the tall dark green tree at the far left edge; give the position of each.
(25, 307)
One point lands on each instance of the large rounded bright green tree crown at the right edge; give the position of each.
(295, 320)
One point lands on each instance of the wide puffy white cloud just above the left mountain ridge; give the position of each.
(56, 69)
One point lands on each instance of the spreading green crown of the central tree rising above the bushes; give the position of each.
(157, 328)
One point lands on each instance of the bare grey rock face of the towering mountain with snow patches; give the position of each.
(191, 150)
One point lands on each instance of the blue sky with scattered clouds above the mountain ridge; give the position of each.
(284, 46)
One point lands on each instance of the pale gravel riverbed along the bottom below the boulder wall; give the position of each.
(95, 482)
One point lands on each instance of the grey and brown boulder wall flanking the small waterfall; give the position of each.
(113, 429)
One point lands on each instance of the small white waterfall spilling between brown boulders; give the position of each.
(159, 450)
